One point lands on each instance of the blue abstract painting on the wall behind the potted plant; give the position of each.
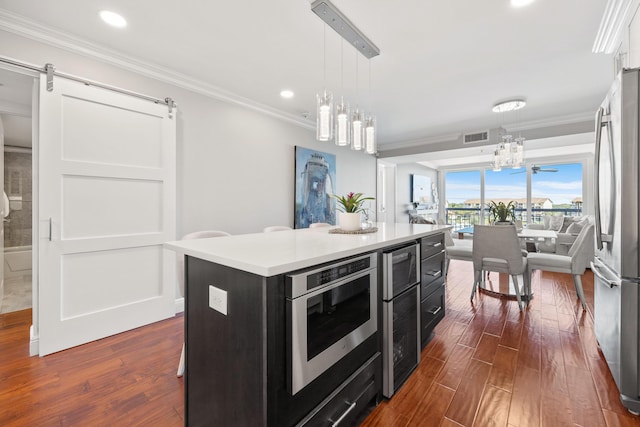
(315, 183)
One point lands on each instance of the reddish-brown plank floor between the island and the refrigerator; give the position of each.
(491, 365)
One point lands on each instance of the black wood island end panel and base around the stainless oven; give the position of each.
(236, 366)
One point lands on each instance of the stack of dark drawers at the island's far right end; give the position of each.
(432, 289)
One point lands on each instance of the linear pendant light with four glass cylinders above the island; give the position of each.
(339, 122)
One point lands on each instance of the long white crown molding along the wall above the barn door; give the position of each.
(21, 26)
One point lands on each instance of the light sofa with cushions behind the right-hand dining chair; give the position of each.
(568, 228)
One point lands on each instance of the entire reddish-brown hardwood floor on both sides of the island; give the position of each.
(488, 365)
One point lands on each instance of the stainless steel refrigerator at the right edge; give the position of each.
(615, 267)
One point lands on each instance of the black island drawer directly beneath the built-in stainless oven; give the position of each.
(349, 400)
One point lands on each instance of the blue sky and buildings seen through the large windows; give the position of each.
(555, 189)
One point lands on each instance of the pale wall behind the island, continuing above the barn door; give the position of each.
(235, 165)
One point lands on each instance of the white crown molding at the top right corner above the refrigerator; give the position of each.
(616, 15)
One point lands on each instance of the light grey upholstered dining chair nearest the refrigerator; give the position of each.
(580, 254)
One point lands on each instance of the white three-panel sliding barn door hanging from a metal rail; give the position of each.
(106, 205)
